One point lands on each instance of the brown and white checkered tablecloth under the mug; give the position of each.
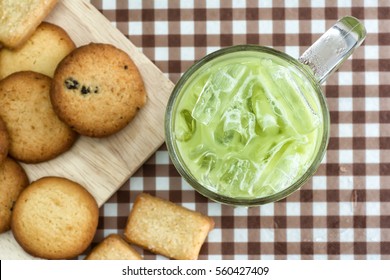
(343, 212)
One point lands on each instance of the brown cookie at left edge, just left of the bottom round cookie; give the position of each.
(13, 180)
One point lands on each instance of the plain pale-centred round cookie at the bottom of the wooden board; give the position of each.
(55, 218)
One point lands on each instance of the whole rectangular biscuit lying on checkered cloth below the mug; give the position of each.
(166, 228)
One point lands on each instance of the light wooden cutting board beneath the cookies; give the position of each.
(103, 165)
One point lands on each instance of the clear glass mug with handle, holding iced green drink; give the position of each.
(249, 125)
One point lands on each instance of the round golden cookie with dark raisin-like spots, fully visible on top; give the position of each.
(97, 90)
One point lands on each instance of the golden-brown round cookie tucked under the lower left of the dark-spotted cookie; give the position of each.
(36, 132)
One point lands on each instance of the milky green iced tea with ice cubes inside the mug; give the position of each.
(247, 124)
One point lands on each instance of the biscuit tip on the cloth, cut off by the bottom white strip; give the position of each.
(113, 247)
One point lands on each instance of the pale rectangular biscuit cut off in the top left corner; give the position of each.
(19, 19)
